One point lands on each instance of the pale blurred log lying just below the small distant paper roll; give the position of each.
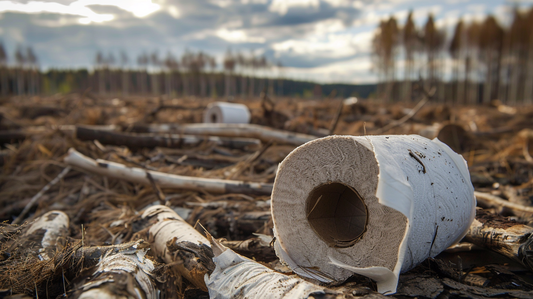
(265, 134)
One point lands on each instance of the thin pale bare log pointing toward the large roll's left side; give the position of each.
(163, 180)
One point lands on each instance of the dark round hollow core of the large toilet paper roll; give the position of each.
(337, 214)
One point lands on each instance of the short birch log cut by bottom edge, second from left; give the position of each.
(121, 274)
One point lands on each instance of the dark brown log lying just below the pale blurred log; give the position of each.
(136, 141)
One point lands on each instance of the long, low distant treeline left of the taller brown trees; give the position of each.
(192, 74)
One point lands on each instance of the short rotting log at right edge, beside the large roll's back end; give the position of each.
(504, 236)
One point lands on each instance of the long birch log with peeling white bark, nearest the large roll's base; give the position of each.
(192, 256)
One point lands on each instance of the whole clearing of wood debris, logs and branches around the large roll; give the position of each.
(112, 215)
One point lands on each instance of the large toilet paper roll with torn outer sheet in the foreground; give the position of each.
(372, 205)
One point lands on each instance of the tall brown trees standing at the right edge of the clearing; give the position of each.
(481, 61)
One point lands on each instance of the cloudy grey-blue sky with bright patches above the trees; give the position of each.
(319, 40)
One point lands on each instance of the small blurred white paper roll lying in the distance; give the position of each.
(226, 113)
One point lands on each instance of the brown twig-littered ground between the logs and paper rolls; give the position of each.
(494, 139)
